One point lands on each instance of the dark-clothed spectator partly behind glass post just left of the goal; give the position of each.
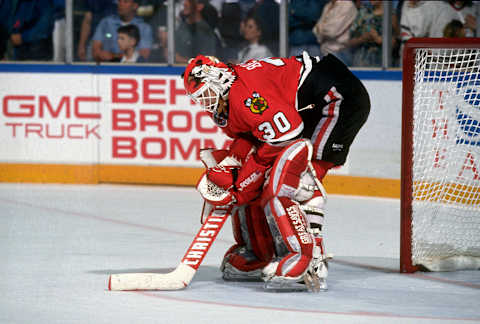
(366, 35)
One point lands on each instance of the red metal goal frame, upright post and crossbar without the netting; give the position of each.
(410, 48)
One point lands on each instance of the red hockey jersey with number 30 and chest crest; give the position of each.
(262, 100)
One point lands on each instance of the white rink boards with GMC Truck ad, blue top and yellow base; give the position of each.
(134, 124)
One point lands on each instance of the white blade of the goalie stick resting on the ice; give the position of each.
(175, 280)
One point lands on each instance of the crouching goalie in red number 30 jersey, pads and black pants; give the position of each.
(292, 119)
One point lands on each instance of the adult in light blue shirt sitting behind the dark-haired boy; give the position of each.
(105, 47)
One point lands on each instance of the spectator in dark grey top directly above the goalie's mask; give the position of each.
(194, 35)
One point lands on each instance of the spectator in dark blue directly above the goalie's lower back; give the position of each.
(302, 17)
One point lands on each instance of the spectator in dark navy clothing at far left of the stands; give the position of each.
(31, 32)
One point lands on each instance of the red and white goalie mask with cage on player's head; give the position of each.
(206, 80)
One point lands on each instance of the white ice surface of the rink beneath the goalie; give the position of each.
(59, 243)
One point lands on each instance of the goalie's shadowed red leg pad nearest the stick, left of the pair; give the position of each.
(254, 248)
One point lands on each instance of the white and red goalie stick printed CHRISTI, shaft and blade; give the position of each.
(183, 274)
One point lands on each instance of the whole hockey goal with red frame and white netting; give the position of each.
(440, 172)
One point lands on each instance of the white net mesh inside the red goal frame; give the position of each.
(446, 154)
